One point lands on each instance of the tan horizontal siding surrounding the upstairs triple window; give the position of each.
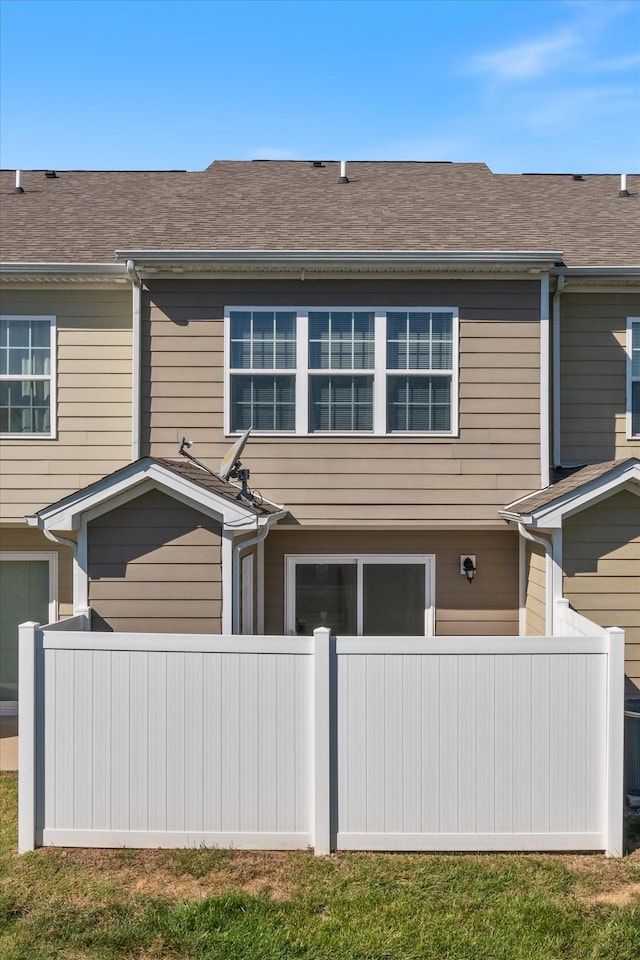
(361, 479)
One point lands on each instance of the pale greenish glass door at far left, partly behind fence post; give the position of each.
(24, 595)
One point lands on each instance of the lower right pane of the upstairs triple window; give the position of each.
(419, 404)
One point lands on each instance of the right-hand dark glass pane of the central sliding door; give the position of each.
(393, 599)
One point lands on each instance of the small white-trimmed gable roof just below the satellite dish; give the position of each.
(184, 480)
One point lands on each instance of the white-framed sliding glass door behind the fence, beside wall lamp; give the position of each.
(369, 595)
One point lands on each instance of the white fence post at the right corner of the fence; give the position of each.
(615, 743)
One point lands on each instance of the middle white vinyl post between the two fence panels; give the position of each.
(321, 742)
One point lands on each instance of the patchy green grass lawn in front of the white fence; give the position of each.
(197, 904)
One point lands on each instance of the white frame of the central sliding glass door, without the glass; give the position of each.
(359, 559)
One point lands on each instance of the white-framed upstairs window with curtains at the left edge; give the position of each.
(27, 384)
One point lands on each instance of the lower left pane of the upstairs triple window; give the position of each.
(263, 402)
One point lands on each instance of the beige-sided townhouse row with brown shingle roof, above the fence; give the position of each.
(437, 364)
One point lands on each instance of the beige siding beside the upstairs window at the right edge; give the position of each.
(593, 376)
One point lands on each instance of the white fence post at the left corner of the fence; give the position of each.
(27, 736)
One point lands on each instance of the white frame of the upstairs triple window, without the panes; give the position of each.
(380, 373)
